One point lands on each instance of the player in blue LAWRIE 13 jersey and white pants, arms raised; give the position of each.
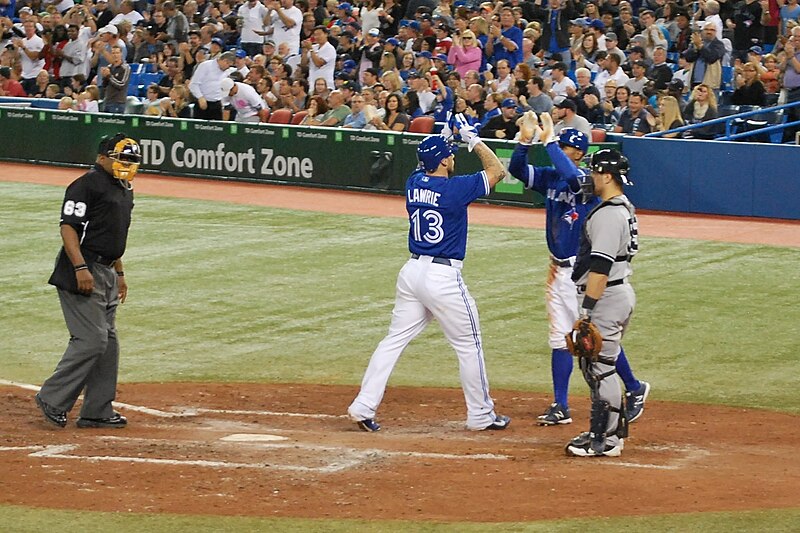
(430, 284)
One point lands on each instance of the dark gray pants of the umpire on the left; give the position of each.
(92, 356)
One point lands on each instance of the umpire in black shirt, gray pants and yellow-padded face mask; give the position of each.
(95, 218)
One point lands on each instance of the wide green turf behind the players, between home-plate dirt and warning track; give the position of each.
(224, 292)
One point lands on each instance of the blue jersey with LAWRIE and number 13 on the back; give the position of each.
(437, 212)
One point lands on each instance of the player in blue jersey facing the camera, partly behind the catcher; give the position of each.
(566, 206)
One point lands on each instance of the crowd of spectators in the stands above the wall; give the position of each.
(627, 67)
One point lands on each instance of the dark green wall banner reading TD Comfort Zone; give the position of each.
(338, 158)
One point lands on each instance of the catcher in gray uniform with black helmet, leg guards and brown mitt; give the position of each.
(602, 269)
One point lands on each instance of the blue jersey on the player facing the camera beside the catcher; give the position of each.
(565, 211)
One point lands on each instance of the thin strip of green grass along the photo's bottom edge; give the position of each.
(24, 520)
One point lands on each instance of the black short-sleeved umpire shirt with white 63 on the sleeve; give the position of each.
(99, 207)
